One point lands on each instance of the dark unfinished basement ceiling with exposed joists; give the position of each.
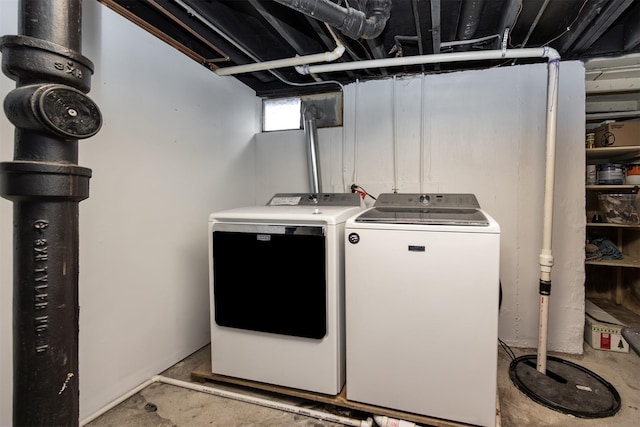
(225, 33)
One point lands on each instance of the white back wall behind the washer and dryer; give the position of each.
(482, 132)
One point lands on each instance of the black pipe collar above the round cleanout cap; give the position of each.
(30, 59)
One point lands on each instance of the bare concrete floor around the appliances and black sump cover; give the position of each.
(168, 405)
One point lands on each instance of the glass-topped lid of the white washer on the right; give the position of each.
(431, 216)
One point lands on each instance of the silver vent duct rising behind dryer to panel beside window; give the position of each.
(318, 111)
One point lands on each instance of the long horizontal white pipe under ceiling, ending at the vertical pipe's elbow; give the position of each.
(540, 52)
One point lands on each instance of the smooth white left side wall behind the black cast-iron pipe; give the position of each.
(176, 145)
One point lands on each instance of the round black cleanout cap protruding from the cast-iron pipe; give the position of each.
(54, 109)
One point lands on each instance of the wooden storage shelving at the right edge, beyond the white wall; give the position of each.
(612, 88)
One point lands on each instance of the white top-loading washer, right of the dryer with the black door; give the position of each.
(422, 298)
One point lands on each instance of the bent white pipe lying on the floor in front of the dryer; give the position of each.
(235, 396)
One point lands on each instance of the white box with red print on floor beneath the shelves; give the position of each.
(602, 331)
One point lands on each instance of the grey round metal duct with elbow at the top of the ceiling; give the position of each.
(351, 22)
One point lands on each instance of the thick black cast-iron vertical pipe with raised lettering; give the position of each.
(51, 112)
